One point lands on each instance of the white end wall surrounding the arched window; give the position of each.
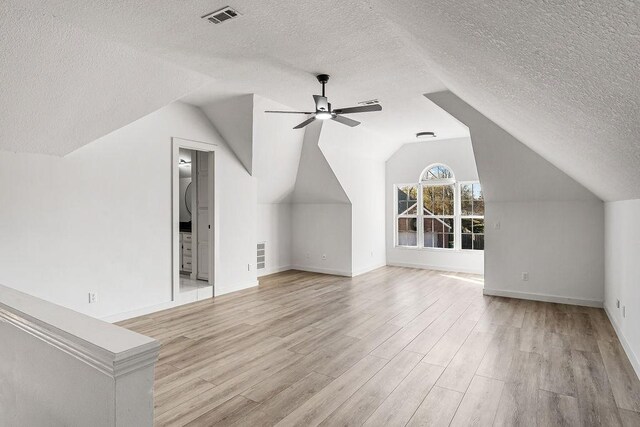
(405, 167)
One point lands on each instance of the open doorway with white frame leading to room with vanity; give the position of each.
(193, 220)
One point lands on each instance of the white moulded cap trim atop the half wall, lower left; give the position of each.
(78, 335)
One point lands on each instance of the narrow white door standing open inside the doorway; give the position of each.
(202, 167)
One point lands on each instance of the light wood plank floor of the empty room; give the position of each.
(393, 347)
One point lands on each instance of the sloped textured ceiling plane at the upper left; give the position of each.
(63, 87)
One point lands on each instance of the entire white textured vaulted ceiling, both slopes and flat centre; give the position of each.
(559, 76)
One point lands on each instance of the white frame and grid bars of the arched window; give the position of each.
(420, 216)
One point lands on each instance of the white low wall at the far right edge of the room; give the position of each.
(622, 280)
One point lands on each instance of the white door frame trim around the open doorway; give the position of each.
(176, 144)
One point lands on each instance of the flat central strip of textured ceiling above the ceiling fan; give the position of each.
(274, 50)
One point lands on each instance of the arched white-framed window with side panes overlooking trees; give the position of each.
(439, 212)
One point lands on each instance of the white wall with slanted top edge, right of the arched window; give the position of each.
(550, 226)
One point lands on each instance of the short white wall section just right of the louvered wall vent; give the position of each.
(274, 228)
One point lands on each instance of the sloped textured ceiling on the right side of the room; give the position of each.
(561, 76)
